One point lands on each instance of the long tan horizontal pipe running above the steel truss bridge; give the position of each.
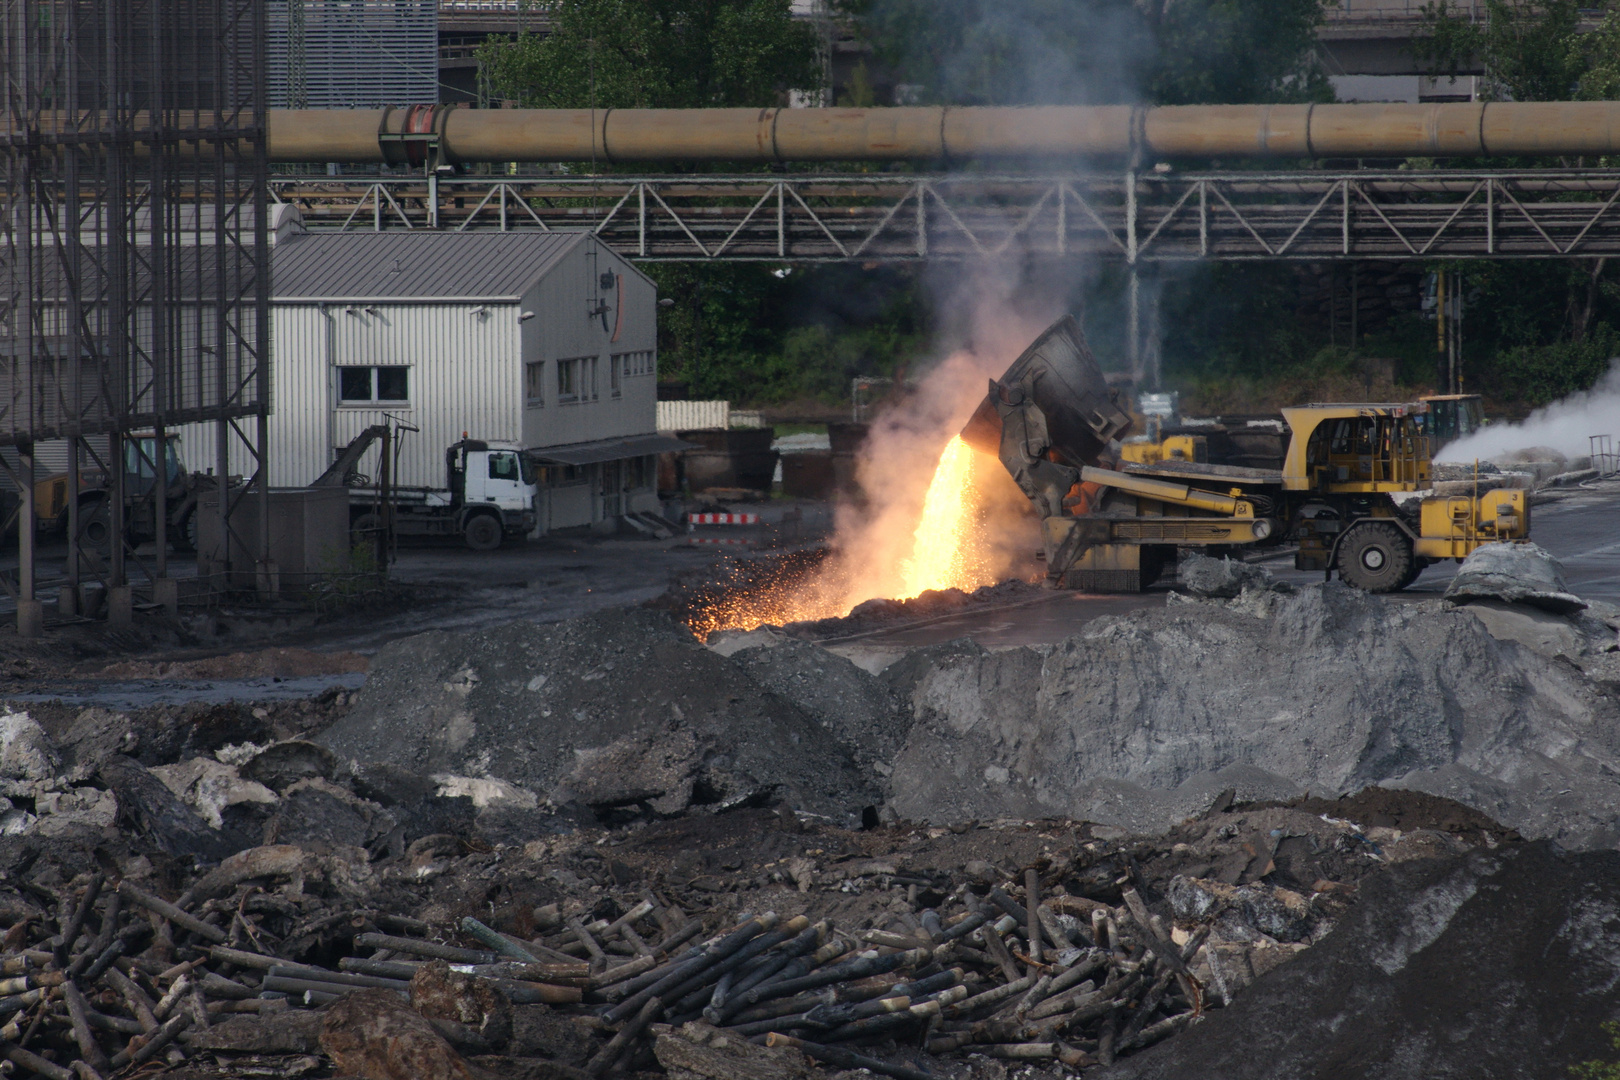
(945, 134)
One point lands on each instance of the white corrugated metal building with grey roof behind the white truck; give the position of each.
(544, 339)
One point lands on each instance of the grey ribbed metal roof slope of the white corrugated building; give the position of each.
(416, 265)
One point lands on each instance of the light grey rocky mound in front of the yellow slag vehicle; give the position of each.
(1324, 691)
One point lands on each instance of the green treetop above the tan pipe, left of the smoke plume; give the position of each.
(655, 54)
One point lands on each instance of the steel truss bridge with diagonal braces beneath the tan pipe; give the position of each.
(1311, 216)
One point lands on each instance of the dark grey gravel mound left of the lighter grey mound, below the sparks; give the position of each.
(616, 710)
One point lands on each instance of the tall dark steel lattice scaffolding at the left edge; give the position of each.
(134, 273)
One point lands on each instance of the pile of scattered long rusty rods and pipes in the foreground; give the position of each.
(113, 976)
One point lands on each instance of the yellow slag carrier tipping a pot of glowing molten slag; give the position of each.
(1352, 491)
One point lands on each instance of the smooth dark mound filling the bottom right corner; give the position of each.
(1490, 966)
